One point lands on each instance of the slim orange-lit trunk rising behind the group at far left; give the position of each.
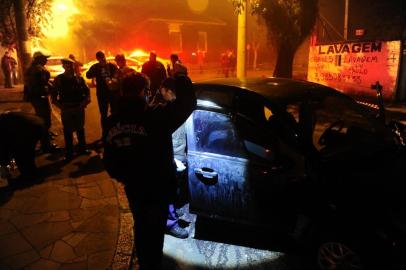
(22, 35)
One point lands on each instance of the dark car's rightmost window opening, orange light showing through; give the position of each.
(340, 120)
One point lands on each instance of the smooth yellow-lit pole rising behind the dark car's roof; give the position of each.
(242, 41)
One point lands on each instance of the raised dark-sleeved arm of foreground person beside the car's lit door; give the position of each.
(178, 111)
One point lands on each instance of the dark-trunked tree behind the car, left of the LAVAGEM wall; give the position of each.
(288, 23)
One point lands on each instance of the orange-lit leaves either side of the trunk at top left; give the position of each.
(38, 14)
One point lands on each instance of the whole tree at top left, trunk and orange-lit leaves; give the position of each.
(21, 20)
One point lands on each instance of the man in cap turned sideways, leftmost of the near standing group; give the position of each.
(36, 91)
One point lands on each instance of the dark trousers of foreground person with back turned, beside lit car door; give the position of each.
(149, 230)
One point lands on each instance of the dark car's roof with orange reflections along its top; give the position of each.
(274, 89)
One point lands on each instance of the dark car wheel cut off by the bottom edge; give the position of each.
(337, 255)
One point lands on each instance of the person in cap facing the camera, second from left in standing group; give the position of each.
(71, 95)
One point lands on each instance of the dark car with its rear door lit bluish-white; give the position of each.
(304, 160)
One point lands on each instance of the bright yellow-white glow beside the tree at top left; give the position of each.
(62, 11)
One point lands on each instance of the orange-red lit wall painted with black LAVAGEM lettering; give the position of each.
(353, 67)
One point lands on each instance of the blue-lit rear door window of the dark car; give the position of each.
(215, 133)
